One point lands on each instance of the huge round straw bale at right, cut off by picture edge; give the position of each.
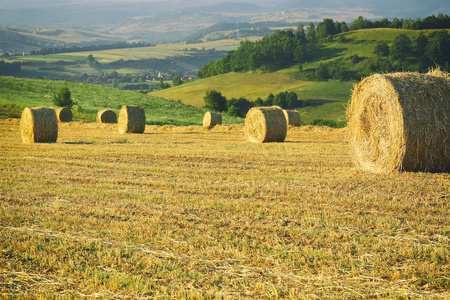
(400, 122)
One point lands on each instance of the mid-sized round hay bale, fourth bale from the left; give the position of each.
(131, 119)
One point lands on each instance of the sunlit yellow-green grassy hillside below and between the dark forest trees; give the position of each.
(324, 99)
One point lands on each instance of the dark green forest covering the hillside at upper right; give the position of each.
(285, 48)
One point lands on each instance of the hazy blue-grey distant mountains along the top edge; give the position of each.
(167, 21)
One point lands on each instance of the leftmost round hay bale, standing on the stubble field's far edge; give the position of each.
(39, 125)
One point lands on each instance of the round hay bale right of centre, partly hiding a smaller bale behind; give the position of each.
(265, 124)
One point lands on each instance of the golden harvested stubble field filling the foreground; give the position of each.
(164, 215)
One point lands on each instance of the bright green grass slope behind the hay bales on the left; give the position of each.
(15, 94)
